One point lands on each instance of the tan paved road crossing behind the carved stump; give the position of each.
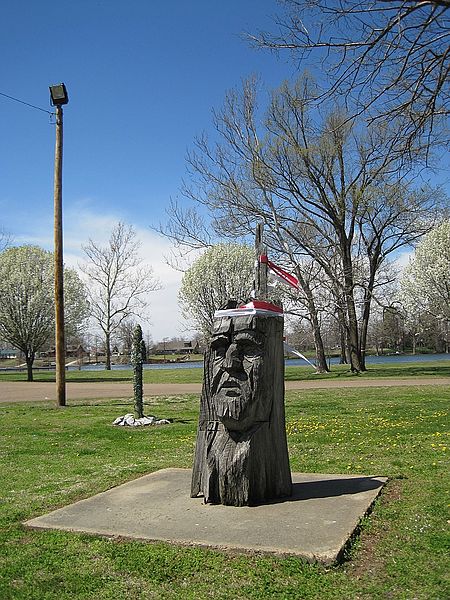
(24, 391)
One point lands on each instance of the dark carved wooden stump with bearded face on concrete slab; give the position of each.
(241, 455)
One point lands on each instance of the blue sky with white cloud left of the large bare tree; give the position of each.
(143, 78)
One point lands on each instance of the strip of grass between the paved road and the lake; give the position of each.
(293, 373)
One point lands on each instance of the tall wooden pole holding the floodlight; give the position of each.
(60, 353)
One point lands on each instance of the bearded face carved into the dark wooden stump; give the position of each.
(237, 360)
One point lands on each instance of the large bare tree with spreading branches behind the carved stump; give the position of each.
(318, 182)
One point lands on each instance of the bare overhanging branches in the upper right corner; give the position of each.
(388, 59)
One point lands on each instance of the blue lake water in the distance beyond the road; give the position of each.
(370, 360)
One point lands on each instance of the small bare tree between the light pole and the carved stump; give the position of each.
(118, 283)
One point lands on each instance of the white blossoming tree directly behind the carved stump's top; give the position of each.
(224, 271)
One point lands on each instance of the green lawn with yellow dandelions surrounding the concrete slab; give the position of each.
(50, 457)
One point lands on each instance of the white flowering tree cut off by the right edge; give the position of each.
(425, 285)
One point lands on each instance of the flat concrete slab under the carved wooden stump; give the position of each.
(315, 523)
